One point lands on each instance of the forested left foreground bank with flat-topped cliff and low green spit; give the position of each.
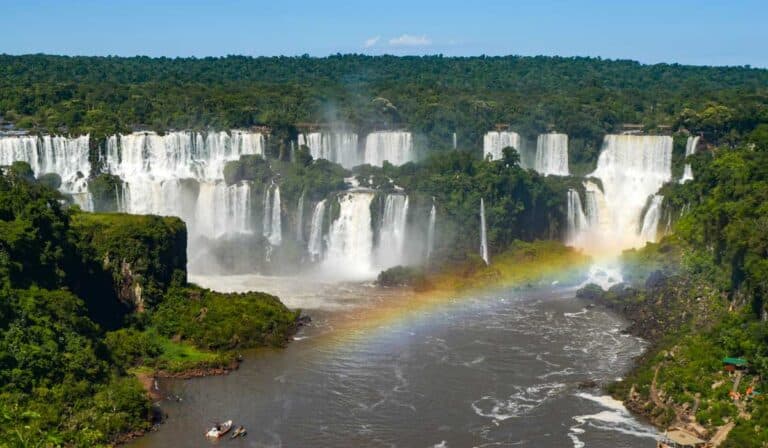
(90, 301)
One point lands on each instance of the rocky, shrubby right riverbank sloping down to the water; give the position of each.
(681, 381)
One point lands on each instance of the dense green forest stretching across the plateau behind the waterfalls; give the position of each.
(433, 96)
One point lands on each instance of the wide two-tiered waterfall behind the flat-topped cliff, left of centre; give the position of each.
(182, 174)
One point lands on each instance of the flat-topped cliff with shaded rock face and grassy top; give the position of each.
(129, 259)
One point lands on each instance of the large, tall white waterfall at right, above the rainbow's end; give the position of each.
(631, 168)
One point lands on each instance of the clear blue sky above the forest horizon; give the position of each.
(699, 32)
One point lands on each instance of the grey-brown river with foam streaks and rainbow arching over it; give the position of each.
(493, 369)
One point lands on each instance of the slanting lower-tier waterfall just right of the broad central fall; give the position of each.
(392, 231)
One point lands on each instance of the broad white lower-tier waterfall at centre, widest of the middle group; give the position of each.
(350, 239)
